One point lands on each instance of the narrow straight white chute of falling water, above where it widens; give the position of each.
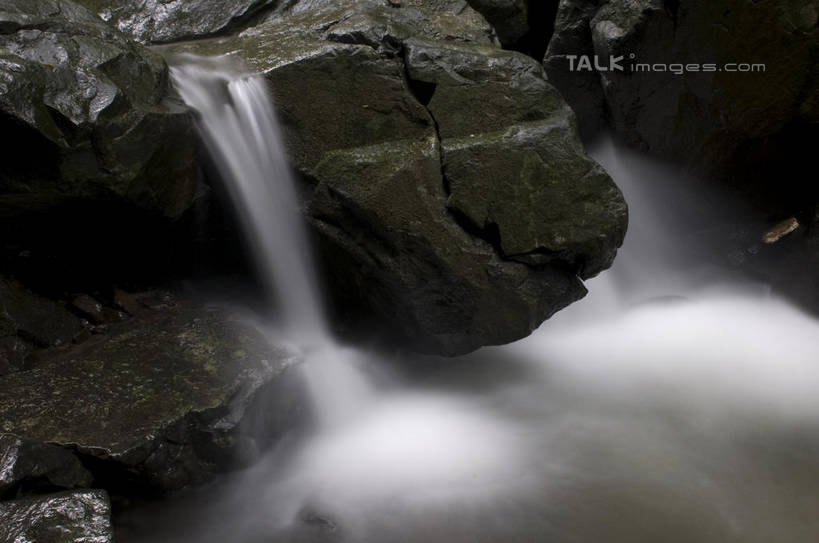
(237, 123)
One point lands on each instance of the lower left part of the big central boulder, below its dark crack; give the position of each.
(382, 219)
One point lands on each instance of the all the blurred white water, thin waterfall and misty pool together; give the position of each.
(673, 404)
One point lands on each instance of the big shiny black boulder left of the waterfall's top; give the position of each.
(90, 115)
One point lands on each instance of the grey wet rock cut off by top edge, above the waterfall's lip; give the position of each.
(160, 21)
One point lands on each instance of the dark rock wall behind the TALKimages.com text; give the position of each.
(763, 78)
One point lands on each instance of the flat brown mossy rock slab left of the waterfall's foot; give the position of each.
(158, 402)
